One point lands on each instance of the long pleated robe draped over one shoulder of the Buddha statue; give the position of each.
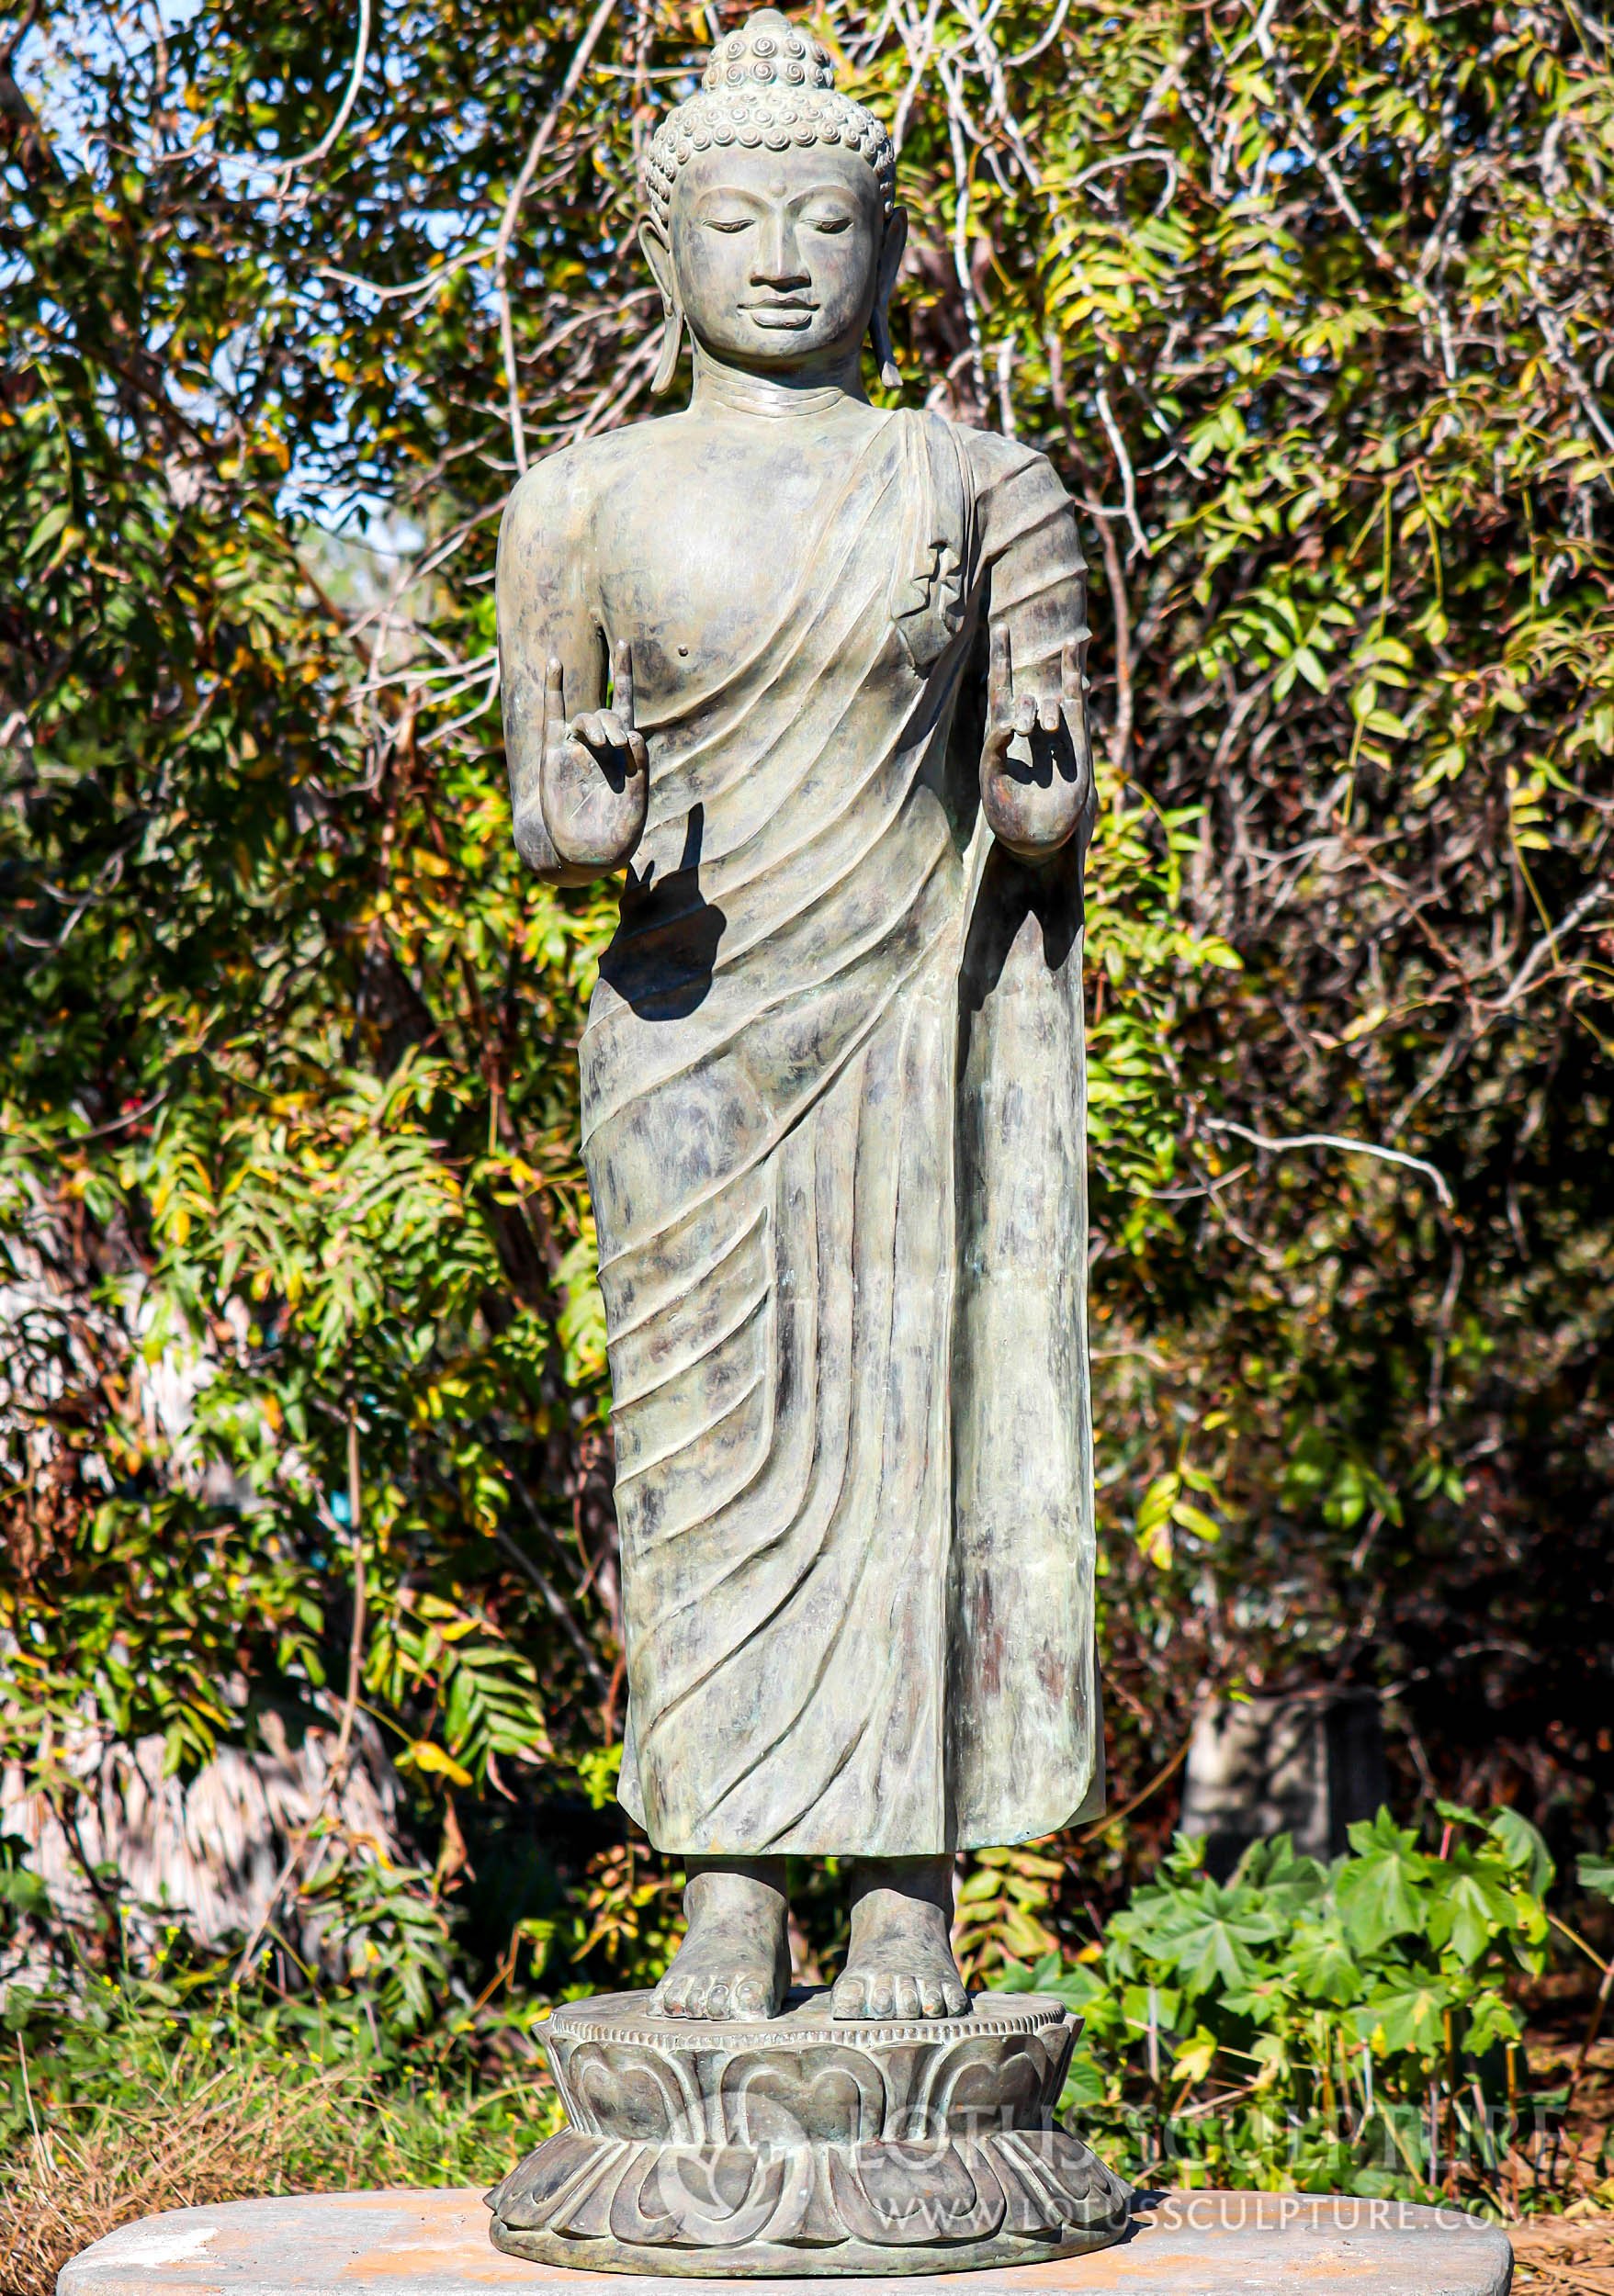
(835, 1131)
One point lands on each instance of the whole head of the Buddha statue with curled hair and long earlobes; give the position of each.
(773, 222)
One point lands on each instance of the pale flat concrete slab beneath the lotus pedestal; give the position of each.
(435, 2244)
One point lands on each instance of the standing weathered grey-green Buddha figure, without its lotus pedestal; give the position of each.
(809, 676)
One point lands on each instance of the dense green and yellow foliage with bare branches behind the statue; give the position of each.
(304, 1388)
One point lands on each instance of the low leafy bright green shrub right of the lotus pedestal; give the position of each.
(1319, 2026)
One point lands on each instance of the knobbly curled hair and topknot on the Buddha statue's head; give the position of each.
(770, 86)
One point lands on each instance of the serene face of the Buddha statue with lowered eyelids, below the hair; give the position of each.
(779, 256)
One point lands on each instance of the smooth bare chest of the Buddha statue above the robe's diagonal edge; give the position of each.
(704, 554)
